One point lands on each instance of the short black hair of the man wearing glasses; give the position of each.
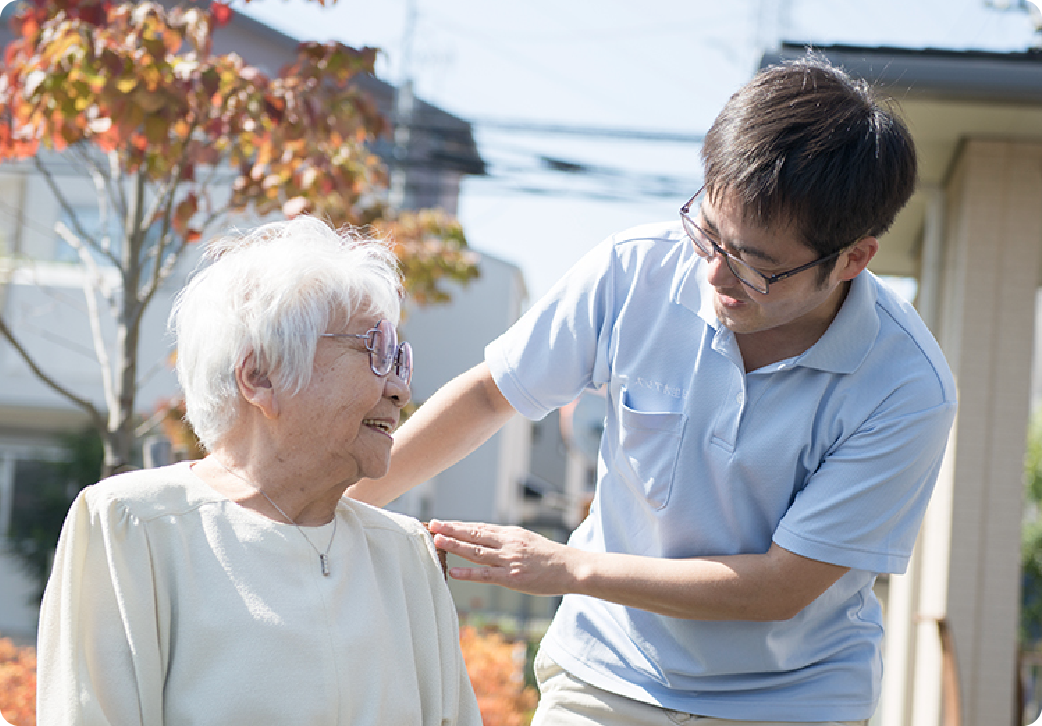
(804, 144)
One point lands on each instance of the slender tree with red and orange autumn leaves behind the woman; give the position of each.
(176, 139)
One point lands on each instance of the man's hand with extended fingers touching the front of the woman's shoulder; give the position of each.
(510, 557)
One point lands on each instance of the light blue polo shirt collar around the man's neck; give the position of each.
(841, 349)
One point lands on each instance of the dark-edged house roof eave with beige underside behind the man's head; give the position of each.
(946, 97)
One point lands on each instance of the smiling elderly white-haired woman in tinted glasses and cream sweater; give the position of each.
(244, 588)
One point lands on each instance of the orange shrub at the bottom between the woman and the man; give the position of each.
(497, 669)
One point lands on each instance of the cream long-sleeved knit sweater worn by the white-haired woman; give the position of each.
(170, 605)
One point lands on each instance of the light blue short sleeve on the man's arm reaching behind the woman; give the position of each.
(561, 346)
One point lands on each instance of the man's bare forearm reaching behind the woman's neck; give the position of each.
(462, 416)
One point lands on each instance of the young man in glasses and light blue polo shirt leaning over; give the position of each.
(776, 422)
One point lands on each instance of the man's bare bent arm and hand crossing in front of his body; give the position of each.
(775, 586)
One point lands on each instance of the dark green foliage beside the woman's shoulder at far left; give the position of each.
(44, 498)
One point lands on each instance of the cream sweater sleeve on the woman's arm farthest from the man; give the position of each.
(100, 658)
